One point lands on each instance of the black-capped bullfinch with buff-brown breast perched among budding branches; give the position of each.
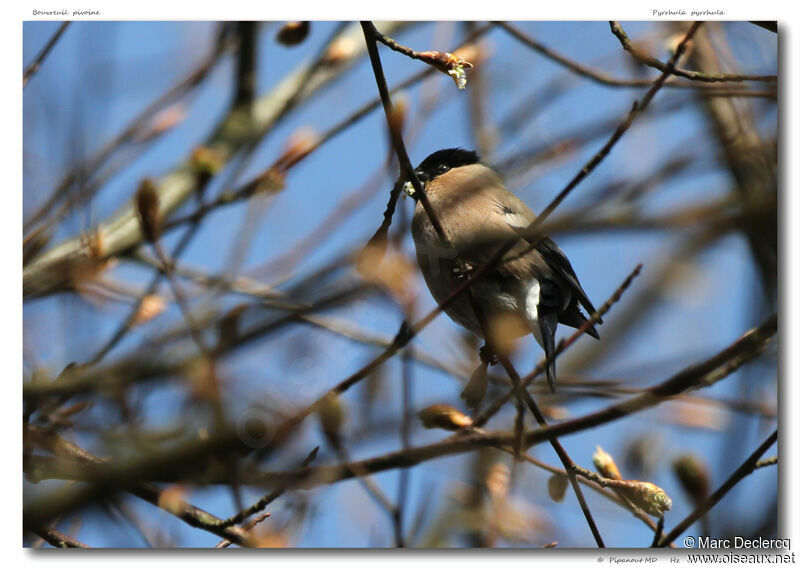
(530, 291)
